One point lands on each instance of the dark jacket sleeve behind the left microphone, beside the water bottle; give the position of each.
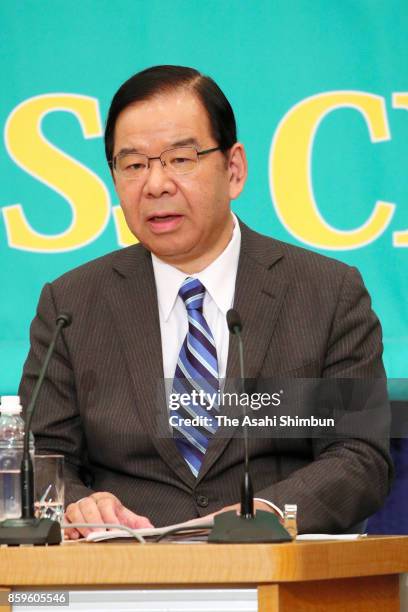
(56, 424)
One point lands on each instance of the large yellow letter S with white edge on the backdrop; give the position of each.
(80, 187)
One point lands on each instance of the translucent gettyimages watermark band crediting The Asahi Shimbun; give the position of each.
(279, 407)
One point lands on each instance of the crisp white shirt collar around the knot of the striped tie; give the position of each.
(218, 278)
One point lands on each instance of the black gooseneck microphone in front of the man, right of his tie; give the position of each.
(247, 526)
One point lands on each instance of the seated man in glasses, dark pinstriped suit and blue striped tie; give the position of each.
(176, 163)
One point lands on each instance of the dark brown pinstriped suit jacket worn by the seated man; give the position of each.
(103, 404)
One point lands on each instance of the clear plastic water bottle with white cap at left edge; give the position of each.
(11, 453)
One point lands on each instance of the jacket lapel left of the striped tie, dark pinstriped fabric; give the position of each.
(133, 302)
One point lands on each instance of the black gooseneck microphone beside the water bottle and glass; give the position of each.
(28, 529)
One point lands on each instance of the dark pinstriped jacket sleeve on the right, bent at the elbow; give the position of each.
(349, 478)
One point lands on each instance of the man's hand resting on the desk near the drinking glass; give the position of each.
(101, 507)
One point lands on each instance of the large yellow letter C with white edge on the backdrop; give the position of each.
(290, 170)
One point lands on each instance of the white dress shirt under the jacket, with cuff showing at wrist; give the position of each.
(219, 281)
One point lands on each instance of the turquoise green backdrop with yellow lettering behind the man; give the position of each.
(320, 91)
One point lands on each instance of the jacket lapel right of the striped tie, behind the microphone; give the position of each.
(259, 295)
